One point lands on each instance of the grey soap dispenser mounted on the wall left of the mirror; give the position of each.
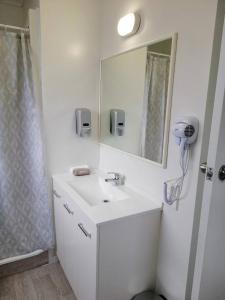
(83, 122)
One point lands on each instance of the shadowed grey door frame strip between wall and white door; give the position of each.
(218, 33)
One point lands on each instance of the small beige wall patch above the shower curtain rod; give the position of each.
(11, 15)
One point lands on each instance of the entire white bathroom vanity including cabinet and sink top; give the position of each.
(107, 237)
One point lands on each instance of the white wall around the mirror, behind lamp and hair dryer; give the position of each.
(194, 21)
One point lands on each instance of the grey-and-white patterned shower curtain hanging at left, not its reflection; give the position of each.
(25, 215)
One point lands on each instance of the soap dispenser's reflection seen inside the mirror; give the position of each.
(117, 122)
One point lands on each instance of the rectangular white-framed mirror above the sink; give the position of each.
(135, 103)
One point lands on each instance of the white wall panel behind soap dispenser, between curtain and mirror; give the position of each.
(70, 76)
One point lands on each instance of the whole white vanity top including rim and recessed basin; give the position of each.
(89, 192)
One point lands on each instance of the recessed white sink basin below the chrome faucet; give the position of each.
(95, 191)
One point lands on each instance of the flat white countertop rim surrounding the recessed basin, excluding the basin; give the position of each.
(136, 203)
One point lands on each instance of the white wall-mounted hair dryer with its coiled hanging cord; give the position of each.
(185, 131)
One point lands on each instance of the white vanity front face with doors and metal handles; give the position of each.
(76, 239)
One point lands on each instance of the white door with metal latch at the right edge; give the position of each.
(209, 276)
